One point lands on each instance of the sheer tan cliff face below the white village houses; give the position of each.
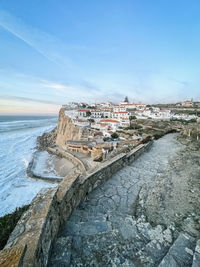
(66, 130)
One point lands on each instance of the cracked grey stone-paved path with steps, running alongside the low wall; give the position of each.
(102, 231)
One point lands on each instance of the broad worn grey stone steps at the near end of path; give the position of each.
(120, 240)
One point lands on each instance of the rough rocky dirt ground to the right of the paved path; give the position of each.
(174, 195)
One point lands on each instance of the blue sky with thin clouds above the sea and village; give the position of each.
(57, 51)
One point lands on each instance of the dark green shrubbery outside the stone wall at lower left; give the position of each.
(8, 223)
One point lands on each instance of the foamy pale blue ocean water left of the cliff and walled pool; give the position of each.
(17, 143)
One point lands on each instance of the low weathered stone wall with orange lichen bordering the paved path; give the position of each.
(31, 240)
